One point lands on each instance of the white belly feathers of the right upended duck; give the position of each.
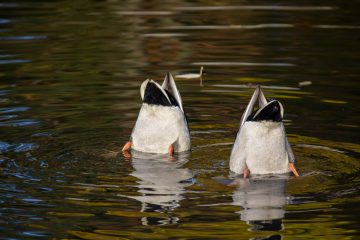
(261, 146)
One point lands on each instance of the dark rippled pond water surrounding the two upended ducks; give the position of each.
(70, 73)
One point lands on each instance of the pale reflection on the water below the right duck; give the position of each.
(262, 200)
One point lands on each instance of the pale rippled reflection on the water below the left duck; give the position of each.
(162, 183)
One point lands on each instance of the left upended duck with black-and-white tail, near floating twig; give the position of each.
(161, 126)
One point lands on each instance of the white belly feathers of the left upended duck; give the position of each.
(158, 127)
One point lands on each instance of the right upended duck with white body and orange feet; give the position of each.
(261, 145)
